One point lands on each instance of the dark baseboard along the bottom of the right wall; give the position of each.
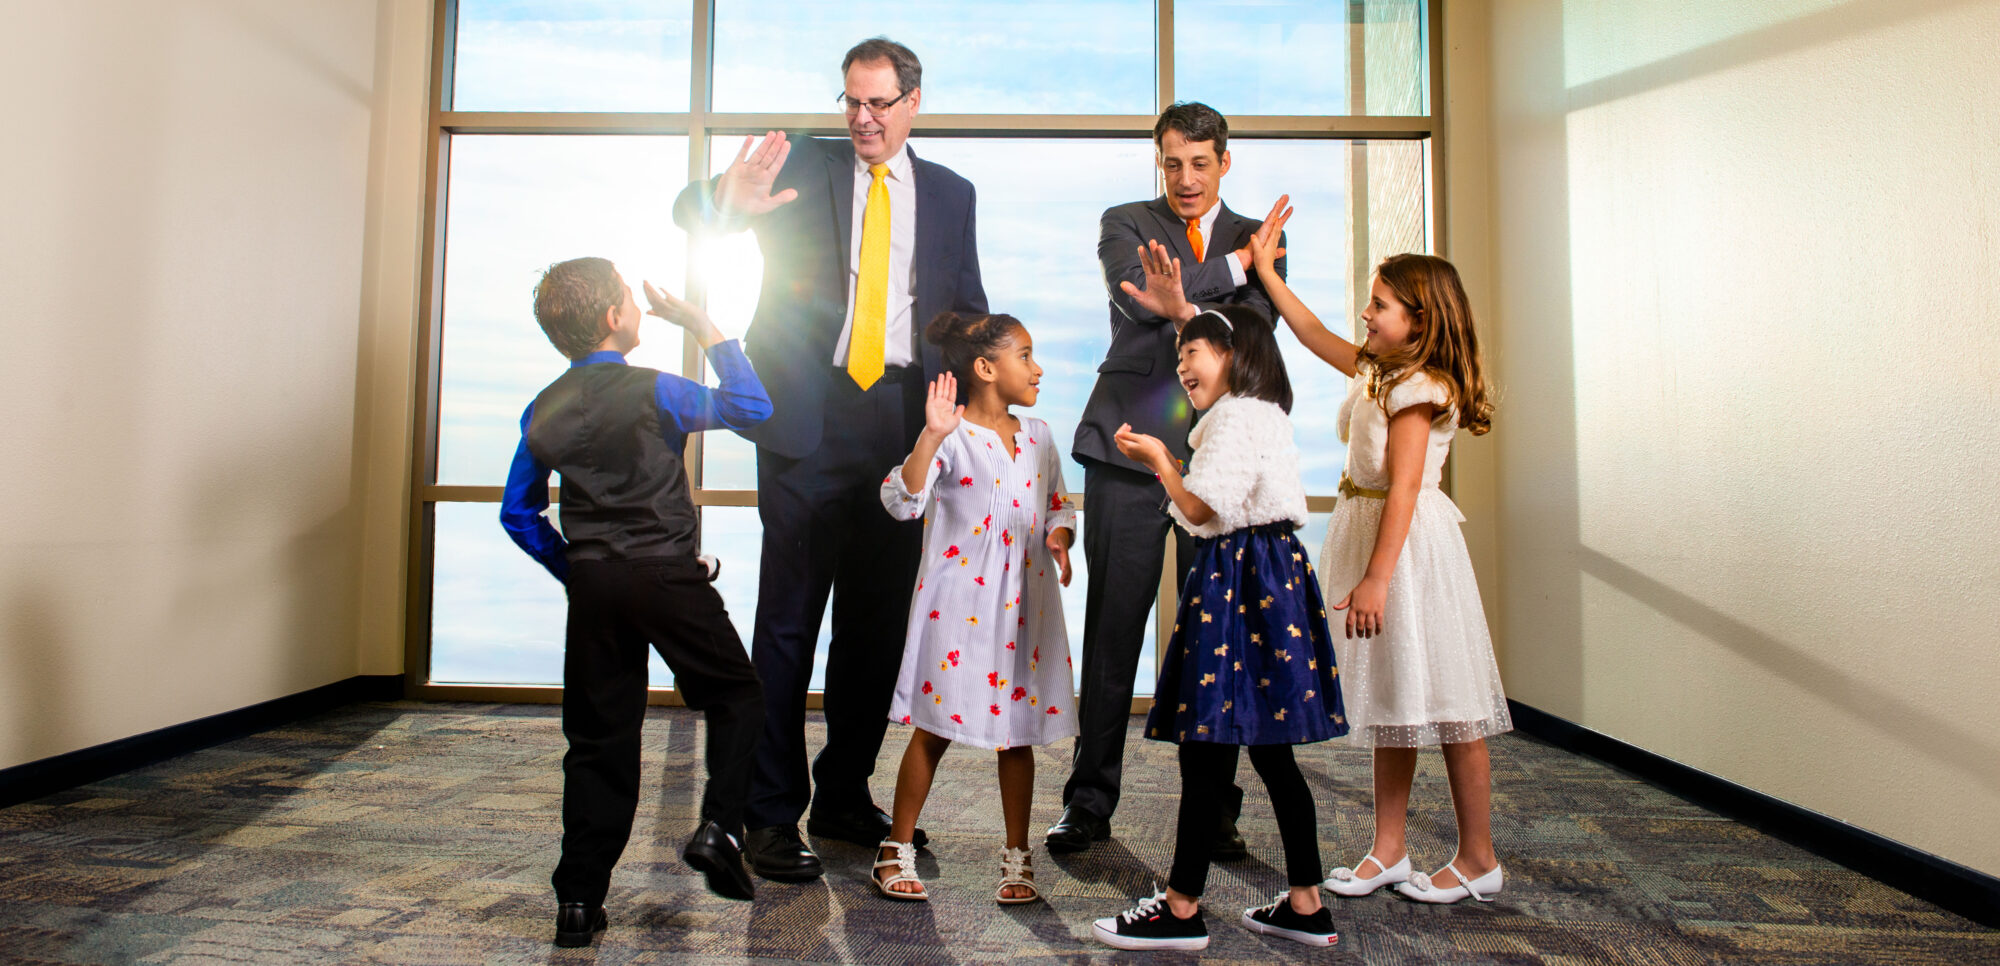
(1923, 875)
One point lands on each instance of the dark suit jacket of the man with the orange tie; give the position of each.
(1137, 379)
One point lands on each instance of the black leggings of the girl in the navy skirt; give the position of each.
(1207, 771)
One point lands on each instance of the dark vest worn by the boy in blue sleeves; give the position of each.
(625, 491)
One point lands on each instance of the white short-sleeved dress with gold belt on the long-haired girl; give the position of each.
(1431, 675)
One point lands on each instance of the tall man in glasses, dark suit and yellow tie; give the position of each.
(863, 245)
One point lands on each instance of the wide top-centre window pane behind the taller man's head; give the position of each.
(1037, 57)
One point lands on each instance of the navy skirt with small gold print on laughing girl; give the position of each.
(1251, 659)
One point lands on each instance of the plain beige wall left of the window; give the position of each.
(209, 253)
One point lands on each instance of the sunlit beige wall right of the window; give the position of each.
(1743, 311)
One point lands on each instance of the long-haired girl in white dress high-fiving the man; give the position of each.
(1417, 661)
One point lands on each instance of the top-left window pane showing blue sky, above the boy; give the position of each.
(573, 55)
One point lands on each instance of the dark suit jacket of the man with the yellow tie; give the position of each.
(805, 297)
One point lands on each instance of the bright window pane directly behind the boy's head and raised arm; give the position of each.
(515, 207)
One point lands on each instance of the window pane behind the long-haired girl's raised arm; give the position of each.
(1323, 261)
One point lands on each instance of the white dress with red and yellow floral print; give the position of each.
(989, 659)
